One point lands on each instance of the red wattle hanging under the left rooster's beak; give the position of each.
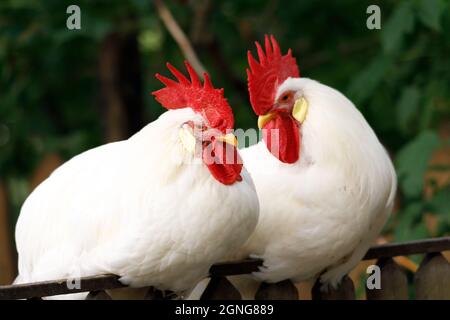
(223, 161)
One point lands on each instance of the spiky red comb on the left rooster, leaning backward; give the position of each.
(204, 99)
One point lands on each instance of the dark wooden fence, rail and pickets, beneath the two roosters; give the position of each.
(432, 280)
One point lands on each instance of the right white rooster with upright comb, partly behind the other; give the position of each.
(325, 183)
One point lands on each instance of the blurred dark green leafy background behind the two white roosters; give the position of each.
(52, 105)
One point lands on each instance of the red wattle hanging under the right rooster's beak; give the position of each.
(286, 147)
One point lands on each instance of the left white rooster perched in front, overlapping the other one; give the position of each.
(143, 208)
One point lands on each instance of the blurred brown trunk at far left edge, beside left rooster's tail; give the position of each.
(7, 265)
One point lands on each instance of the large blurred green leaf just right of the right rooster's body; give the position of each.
(412, 162)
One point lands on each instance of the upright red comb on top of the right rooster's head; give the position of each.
(265, 76)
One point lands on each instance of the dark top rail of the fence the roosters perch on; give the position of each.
(105, 282)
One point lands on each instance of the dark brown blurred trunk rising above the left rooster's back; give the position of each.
(121, 84)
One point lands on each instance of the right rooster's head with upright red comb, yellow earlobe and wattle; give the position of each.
(281, 109)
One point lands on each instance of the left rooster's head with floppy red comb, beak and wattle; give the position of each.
(210, 137)
